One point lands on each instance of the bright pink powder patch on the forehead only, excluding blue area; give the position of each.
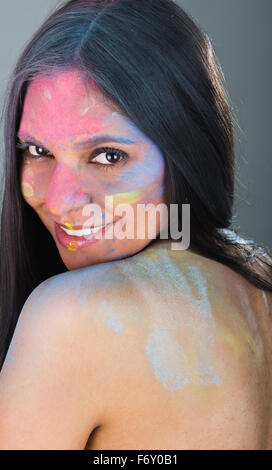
(62, 102)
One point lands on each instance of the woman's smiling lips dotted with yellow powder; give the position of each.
(74, 243)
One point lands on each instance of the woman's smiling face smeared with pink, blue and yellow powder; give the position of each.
(78, 149)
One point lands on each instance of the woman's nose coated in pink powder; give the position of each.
(64, 192)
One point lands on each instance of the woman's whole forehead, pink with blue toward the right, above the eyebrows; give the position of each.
(70, 103)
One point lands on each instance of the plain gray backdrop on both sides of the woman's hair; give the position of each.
(240, 31)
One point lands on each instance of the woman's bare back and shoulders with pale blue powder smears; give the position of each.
(156, 351)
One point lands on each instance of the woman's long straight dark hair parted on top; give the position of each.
(153, 61)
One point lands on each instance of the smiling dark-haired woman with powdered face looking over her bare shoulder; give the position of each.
(123, 342)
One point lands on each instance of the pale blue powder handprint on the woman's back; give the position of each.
(170, 364)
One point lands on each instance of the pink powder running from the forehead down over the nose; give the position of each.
(57, 110)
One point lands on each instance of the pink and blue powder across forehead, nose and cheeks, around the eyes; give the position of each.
(61, 110)
